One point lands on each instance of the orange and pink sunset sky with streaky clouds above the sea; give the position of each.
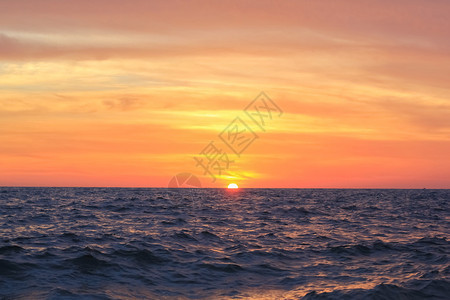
(132, 93)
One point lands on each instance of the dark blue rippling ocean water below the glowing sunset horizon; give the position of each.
(114, 243)
